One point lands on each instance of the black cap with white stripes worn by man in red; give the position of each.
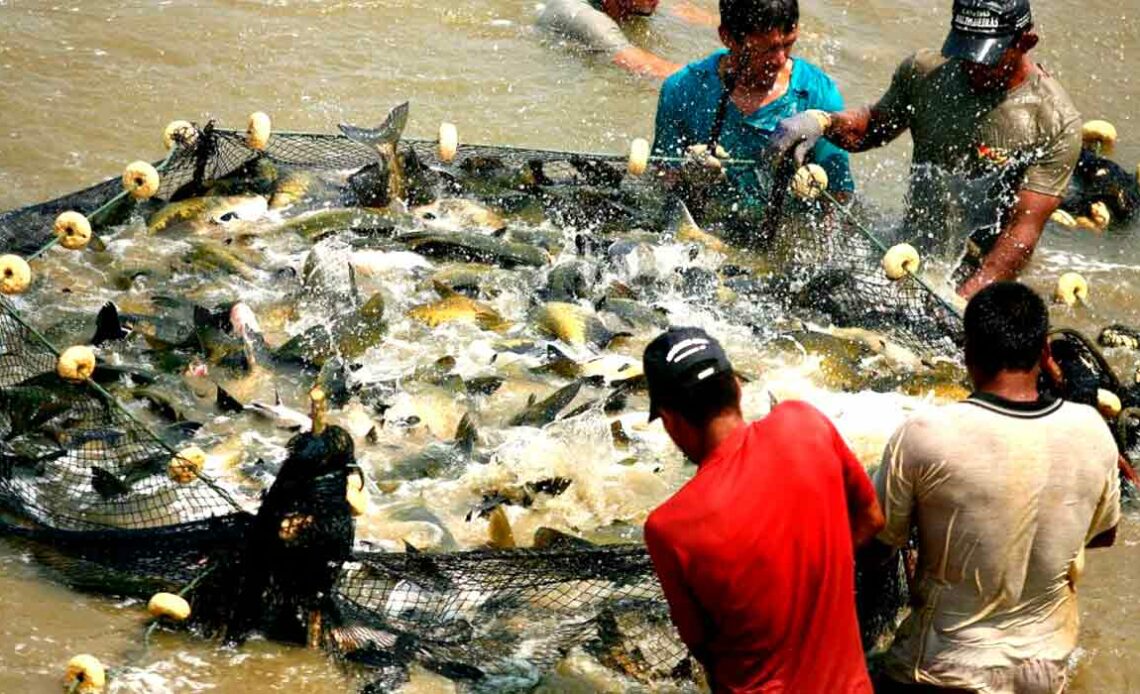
(678, 361)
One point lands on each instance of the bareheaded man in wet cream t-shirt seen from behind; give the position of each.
(1007, 491)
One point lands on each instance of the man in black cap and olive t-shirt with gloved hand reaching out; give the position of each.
(996, 141)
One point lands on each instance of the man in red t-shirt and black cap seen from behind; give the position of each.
(756, 552)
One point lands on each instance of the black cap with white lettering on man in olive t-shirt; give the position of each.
(982, 30)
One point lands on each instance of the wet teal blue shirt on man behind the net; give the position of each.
(688, 107)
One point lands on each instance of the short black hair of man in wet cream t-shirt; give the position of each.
(1007, 325)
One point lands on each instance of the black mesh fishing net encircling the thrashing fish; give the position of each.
(97, 492)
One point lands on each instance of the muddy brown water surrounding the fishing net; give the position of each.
(88, 87)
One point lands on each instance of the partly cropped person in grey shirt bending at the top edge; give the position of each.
(598, 27)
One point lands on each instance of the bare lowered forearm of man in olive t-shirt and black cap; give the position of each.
(1016, 243)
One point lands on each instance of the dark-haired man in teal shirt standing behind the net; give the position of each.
(735, 99)
